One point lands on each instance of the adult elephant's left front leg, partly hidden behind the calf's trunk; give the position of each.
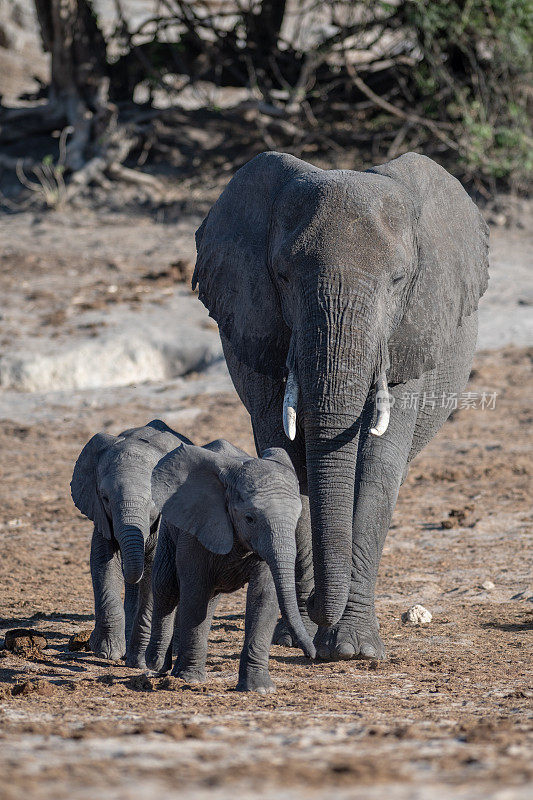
(304, 579)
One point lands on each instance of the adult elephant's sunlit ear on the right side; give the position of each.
(452, 271)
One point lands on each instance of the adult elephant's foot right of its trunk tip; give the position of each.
(350, 639)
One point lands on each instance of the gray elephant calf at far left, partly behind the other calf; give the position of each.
(112, 486)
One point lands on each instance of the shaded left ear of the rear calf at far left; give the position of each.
(83, 486)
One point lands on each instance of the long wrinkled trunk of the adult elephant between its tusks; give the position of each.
(338, 360)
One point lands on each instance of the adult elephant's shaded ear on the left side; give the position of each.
(232, 263)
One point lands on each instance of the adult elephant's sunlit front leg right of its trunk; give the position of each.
(381, 466)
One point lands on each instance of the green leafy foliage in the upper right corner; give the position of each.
(476, 59)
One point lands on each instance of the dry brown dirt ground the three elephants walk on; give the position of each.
(447, 714)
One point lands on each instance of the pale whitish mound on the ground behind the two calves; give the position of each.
(153, 343)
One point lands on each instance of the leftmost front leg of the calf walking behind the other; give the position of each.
(108, 638)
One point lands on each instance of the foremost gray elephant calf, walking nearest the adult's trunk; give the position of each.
(228, 519)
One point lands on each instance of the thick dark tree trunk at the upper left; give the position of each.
(79, 85)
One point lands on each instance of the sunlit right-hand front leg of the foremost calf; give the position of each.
(260, 619)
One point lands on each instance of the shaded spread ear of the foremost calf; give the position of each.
(187, 485)
